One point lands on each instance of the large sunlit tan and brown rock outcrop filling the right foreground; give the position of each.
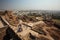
(40, 31)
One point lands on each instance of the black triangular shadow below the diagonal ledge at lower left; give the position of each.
(10, 34)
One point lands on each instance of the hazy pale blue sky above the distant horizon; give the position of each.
(30, 4)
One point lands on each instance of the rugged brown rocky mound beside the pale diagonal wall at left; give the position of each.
(12, 19)
